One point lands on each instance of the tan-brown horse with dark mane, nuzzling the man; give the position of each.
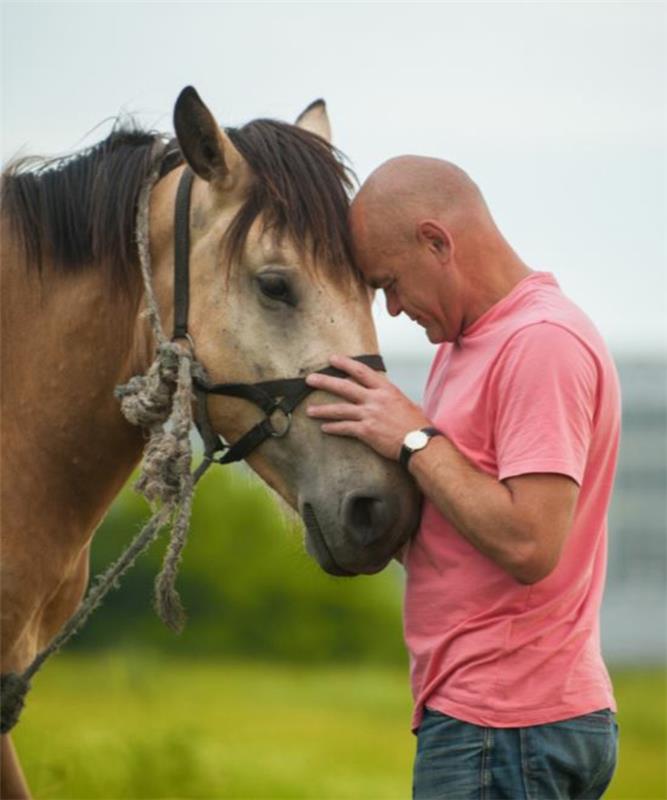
(273, 291)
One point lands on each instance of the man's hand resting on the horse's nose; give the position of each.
(374, 411)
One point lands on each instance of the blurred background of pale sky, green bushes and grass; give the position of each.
(286, 682)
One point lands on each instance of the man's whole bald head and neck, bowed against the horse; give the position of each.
(422, 233)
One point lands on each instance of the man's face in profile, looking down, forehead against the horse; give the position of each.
(411, 277)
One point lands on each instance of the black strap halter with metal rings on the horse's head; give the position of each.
(274, 396)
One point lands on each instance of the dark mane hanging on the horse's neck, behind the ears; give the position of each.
(80, 209)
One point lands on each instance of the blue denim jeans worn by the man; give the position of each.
(571, 759)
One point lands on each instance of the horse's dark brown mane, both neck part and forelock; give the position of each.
(79, 210)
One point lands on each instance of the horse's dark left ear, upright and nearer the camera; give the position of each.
(206, 148)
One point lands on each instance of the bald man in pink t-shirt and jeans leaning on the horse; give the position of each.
(515, 450)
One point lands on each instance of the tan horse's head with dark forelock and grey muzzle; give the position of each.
(273, 294)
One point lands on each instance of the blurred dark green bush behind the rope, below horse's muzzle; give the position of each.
(247, 584)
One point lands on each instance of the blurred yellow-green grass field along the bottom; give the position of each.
(137, 726)
